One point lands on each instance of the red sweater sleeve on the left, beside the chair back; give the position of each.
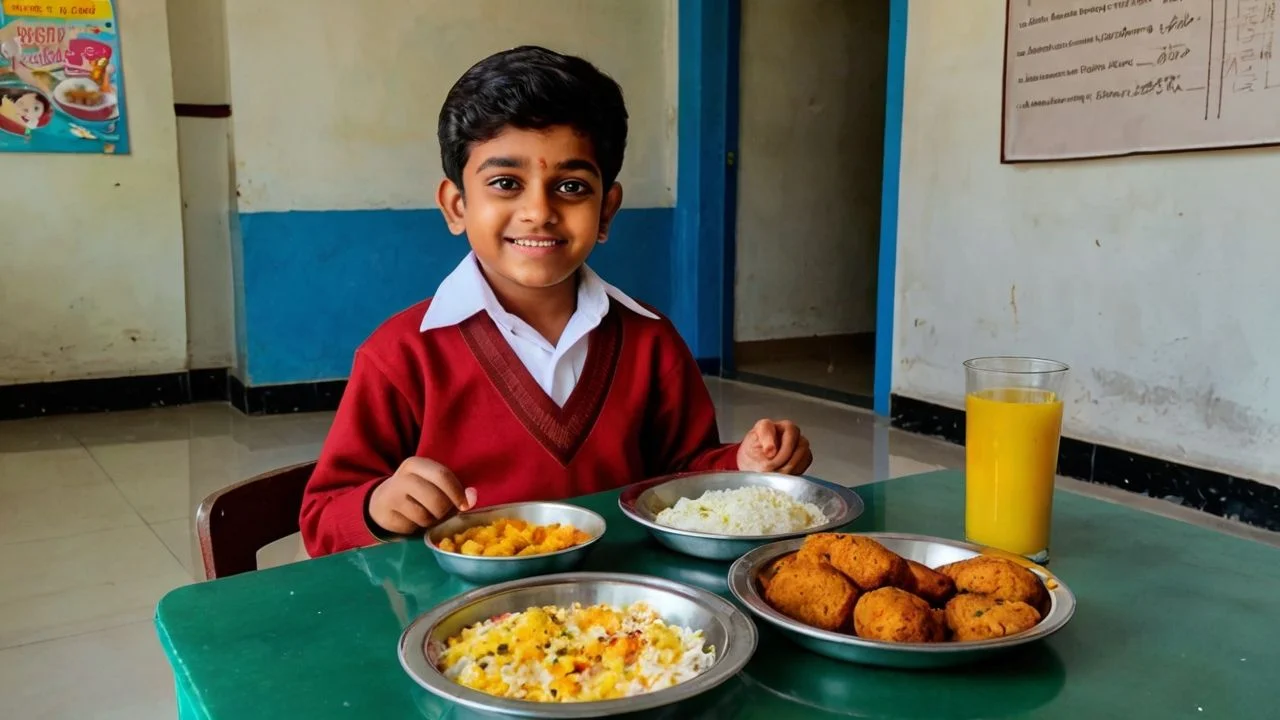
(372, 435)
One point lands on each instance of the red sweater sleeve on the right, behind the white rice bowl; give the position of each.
(683, 432)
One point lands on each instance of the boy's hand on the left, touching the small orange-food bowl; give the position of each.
(420, 494)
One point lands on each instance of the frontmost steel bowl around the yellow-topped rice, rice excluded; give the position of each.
(730, 631)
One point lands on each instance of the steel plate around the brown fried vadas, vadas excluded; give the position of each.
(743, 582)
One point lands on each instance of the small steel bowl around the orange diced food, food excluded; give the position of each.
(488, 571)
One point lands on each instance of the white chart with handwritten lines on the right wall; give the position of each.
(1094, 79)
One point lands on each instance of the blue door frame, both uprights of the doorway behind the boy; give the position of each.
(707, 184)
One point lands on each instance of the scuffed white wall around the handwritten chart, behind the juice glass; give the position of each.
(1154, 277)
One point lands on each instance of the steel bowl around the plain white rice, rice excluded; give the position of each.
(644, 502)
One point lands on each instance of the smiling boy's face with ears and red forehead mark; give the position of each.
(533, 206)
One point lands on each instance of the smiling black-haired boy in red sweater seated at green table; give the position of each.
(527, 377)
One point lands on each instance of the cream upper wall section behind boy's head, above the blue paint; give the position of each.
(336, 103)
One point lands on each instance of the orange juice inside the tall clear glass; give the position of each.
(1011, 461)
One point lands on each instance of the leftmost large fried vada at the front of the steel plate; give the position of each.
(815, 594)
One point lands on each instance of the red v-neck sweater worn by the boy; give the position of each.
(461, 397)
